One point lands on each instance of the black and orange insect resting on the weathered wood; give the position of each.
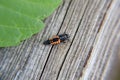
(57, 39)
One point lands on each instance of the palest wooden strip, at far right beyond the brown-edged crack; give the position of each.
(107, 45)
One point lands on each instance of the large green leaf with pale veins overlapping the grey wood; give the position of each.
(20, 19)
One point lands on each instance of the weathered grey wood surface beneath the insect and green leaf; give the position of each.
(94, 29)
